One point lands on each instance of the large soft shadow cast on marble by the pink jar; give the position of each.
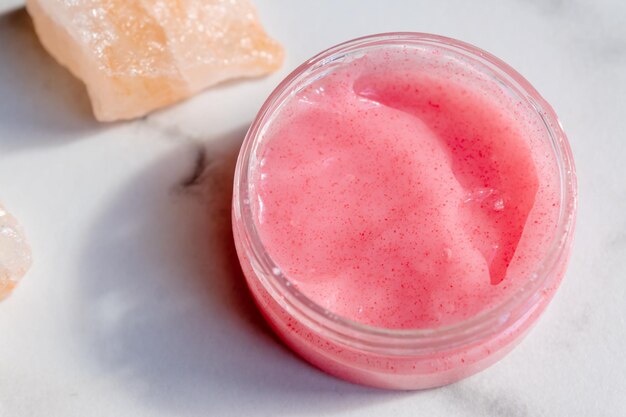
(166, 310)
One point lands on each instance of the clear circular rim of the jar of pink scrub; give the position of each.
(368, 337)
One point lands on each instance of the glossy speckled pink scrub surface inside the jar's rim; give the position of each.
(405, 189)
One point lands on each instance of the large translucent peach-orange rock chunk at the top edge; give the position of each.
(138, 55)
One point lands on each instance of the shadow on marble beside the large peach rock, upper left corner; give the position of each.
(41, 103)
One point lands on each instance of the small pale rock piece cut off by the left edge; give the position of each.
(15, 257)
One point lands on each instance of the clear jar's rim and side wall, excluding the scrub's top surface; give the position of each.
(399, 358)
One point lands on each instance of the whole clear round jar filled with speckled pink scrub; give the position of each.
(403, 209)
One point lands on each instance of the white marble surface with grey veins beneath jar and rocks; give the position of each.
(135, 305)
